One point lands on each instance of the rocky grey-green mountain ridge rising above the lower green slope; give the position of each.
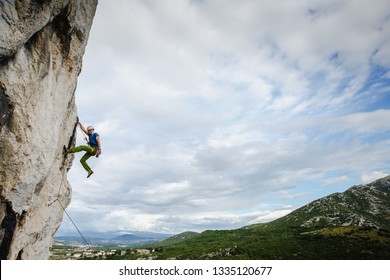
(365, 205)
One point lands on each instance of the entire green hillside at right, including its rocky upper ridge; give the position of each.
(349, 225)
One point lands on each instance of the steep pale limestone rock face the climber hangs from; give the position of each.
(41, 49)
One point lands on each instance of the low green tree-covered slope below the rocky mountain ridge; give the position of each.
(263, 243)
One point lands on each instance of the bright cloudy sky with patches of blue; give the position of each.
(216, 114)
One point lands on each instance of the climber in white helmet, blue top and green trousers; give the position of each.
(94, 147)
